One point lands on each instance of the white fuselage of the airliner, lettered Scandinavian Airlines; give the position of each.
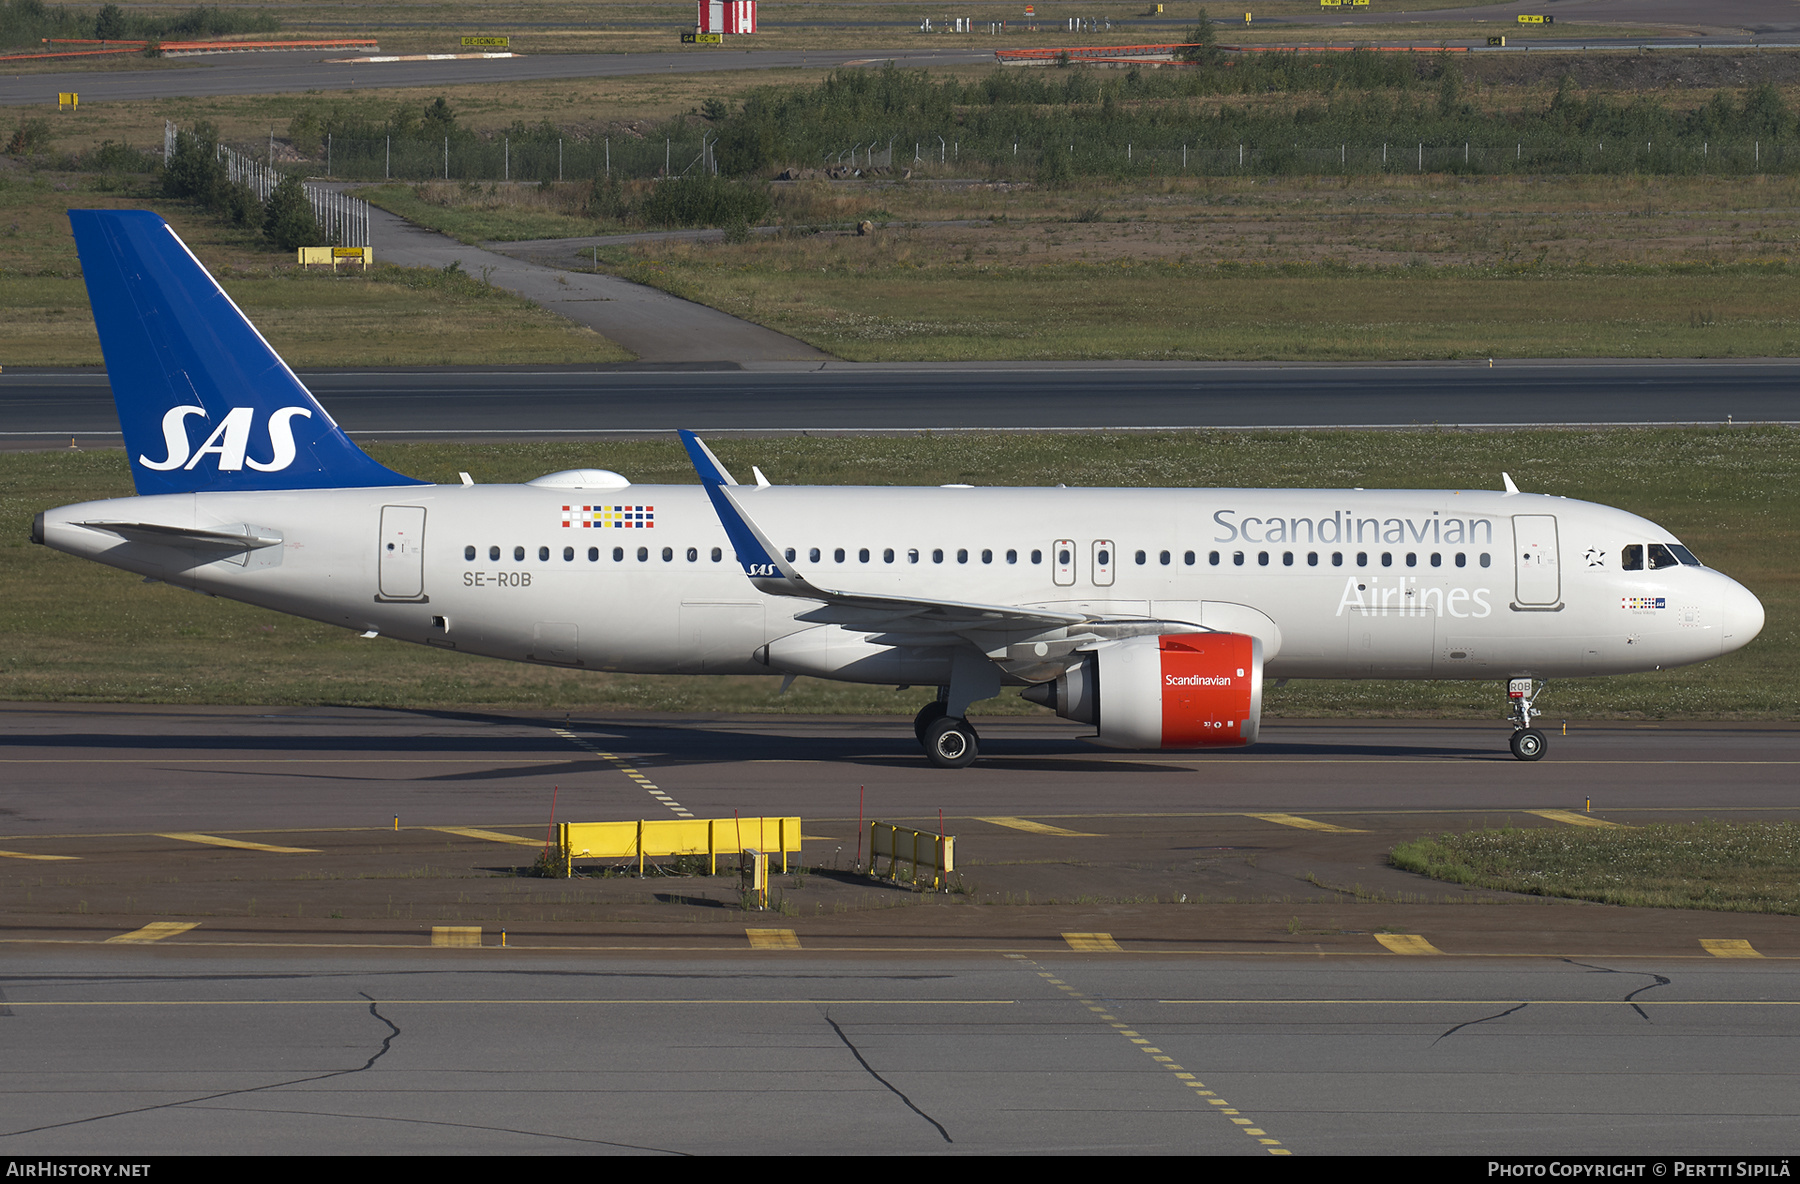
(1338, 584)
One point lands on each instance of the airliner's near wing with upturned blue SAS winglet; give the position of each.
(766, 568)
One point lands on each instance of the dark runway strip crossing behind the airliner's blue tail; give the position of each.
(44, 408)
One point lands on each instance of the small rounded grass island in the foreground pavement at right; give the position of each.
(1732, 868)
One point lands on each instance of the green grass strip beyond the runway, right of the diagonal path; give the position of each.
(865, 307)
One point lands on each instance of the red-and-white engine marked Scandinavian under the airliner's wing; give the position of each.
(1167, 692)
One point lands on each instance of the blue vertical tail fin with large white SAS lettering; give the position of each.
(204, 402)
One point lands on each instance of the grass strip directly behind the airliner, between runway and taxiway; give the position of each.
(73, 631)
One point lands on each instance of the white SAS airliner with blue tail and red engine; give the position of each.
(1156, 616)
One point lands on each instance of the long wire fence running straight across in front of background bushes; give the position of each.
(508, 159)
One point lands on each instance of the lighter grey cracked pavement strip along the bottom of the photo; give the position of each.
(129, 1054)
